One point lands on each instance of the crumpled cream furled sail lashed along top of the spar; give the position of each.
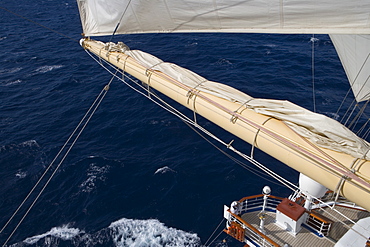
(320, 129)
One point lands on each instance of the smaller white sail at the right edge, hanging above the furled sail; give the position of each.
(354, 53)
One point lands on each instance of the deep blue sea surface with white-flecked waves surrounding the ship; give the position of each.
(137, 176)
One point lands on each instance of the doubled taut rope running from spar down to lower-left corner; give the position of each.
(95, 105)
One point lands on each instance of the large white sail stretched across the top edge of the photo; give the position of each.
(100, 17)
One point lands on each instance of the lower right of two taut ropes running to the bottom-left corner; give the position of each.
(105, 90)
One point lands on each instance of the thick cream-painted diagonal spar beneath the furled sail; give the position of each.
(337, 171)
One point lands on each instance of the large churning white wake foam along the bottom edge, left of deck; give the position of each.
(121, 233)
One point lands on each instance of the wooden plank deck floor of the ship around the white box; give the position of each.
(306, 235)
